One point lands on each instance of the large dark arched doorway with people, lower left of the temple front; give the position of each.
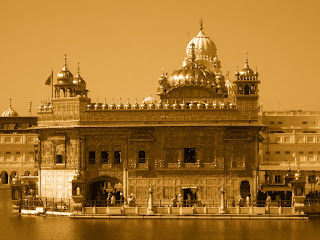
(100, 190)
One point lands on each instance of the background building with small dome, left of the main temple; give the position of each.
(17, 148)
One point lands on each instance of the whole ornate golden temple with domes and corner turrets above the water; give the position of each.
(199, 134)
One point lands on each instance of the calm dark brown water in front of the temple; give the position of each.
(13, 226)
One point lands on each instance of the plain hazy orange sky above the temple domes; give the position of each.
(123, 46)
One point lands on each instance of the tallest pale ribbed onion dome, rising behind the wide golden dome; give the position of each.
(204, 47)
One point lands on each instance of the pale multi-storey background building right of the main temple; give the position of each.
(293, 142)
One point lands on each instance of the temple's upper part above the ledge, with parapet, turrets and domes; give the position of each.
(196, 94)
